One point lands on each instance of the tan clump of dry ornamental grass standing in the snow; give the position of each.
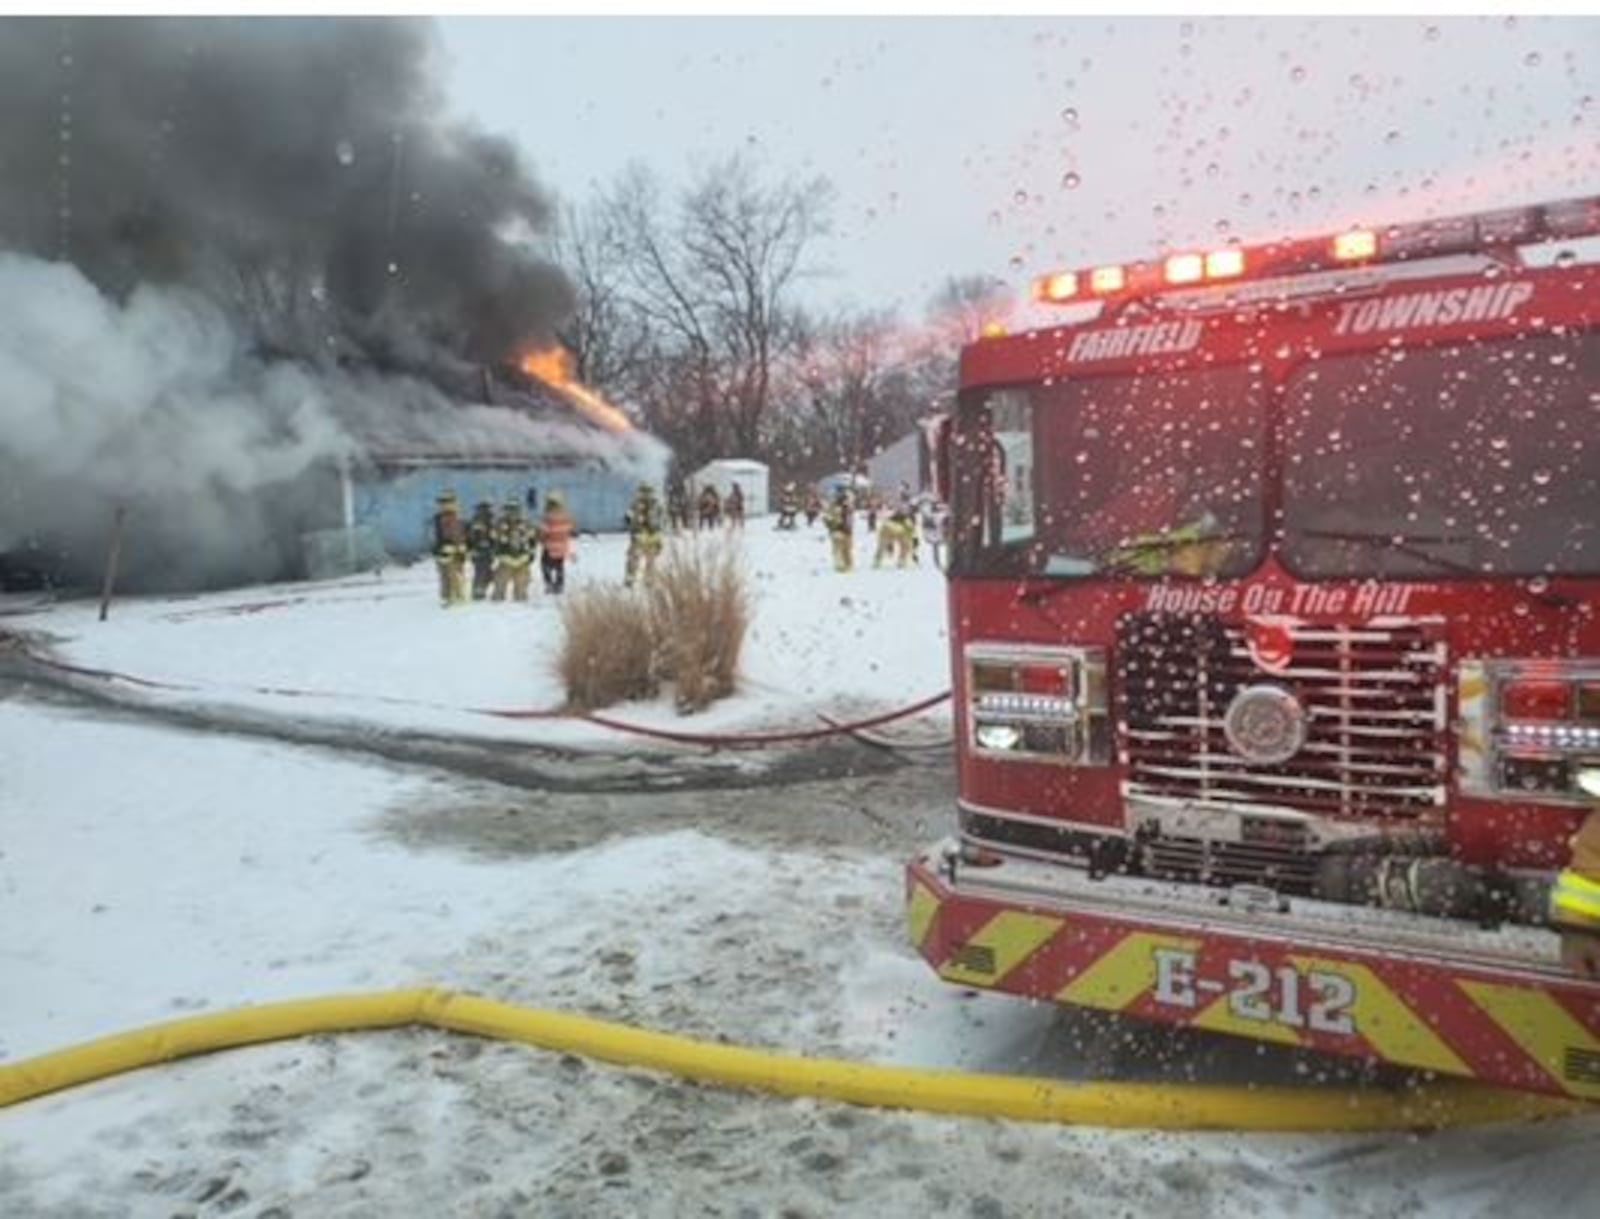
(686, 628)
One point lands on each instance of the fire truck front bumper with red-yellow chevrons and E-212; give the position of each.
(1418, 993)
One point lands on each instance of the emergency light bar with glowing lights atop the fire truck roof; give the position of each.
(1478, 233)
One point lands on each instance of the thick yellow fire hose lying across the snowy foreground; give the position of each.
(1148, 1106)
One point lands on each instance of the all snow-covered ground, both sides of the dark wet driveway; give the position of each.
(150, 873)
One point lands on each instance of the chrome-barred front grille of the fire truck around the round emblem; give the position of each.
(1374, 697)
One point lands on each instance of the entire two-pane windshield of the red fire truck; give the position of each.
(1407, 463)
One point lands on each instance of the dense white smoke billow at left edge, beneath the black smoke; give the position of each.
(154, 407)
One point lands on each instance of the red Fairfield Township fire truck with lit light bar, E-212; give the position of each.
(1276, 633)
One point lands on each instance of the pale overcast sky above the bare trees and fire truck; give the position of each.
(1014, 146)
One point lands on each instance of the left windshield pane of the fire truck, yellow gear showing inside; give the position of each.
(1145, 476)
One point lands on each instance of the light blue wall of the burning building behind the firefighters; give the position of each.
(399, 505)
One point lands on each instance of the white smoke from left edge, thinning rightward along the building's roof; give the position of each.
(220, 457)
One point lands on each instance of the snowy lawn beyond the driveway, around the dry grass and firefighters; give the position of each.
(380, 650)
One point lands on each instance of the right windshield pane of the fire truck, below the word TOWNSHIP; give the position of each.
(1473, 460)
